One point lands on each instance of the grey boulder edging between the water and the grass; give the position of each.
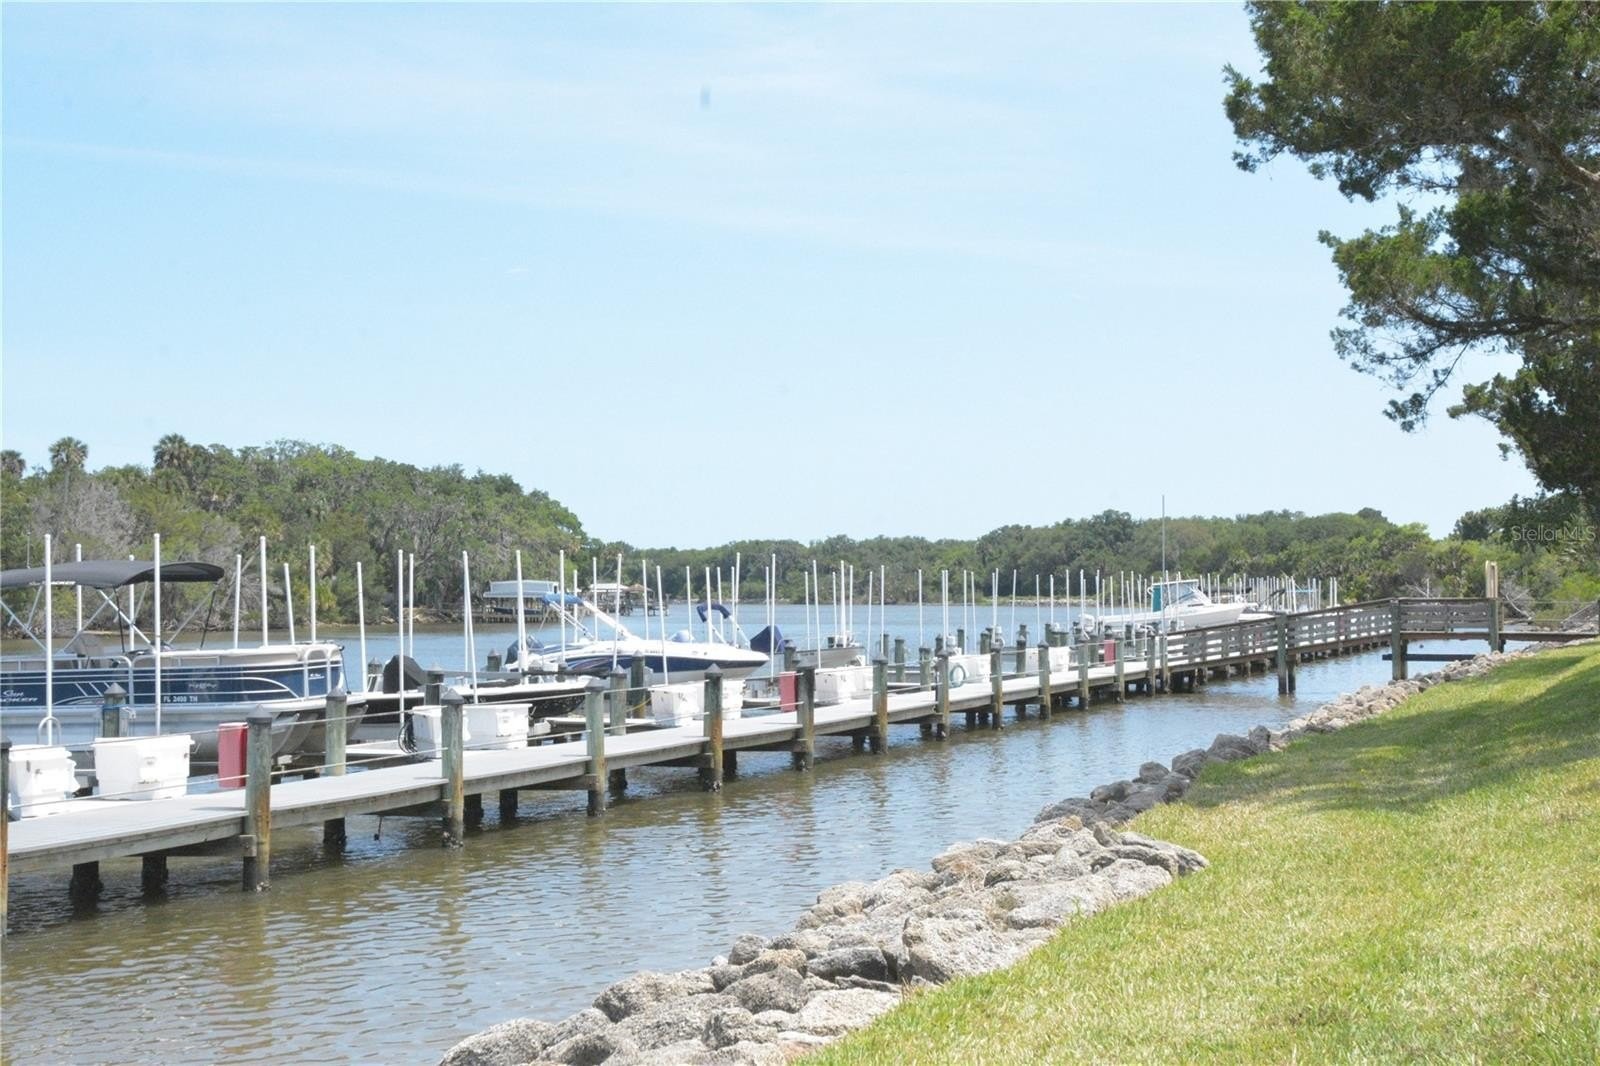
(862, 947)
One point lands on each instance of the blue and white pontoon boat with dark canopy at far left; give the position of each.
(201, 687)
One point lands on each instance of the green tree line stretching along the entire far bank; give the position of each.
(214, 503)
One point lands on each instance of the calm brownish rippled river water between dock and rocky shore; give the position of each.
(398, 950)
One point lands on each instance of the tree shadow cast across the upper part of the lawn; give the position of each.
(1409, 763)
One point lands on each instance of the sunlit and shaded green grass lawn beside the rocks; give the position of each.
(1422, 888)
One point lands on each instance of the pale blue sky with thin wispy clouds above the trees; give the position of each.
(700, 273)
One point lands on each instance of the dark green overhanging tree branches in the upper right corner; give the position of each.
(1484, 122)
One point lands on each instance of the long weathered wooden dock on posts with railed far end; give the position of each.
(921, 694)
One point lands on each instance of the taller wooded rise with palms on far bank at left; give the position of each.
(212, 503)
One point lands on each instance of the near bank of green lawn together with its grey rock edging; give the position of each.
(1425, 886)
